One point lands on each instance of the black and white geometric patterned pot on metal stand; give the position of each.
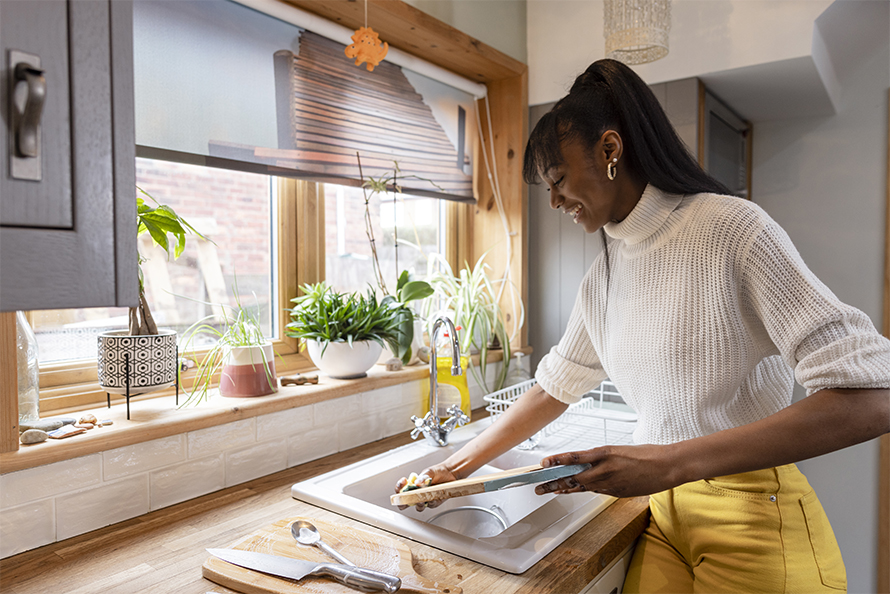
(151, 360)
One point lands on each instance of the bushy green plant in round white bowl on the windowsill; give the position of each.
(344, 333)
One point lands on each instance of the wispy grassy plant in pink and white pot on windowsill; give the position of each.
(241, 356)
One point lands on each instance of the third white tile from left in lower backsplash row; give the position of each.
(187, 480)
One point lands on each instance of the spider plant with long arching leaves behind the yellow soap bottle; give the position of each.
(473, 302)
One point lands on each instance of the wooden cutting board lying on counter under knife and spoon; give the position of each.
(374, 551)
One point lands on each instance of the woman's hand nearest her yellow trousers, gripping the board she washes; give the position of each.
(619, 471)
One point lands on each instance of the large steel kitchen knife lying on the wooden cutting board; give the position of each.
(366, 580)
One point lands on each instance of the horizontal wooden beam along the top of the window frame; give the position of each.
(417, 33)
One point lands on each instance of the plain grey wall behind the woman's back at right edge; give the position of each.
(824, 180)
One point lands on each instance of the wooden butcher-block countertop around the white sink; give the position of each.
(163, 551)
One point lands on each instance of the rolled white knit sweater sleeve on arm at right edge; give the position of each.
(828, 343)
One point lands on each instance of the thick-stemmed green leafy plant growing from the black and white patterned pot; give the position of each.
(167, 230)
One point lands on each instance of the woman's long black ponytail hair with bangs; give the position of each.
(611, 96)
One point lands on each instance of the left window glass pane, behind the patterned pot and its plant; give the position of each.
(235, 211)
